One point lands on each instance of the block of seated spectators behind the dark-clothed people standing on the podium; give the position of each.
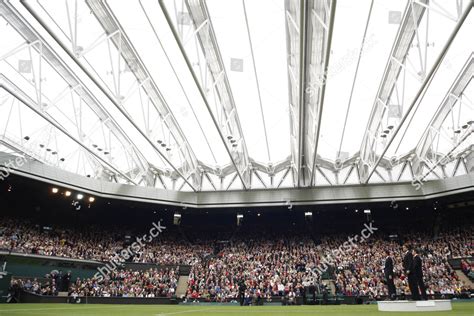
(359, 271)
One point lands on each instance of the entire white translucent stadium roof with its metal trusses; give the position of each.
(221, 95)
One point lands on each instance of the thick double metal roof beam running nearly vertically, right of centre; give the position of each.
(308, 48)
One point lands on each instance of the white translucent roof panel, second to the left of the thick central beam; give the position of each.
(165, 63)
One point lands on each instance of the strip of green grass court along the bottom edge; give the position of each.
(461, 308)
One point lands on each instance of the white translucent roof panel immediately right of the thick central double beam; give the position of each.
(346, 43)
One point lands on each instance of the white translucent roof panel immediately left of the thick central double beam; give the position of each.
(267, 30)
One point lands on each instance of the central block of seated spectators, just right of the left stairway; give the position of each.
(266, 268)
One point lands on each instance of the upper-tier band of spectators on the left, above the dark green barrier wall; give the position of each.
(94, 244)
